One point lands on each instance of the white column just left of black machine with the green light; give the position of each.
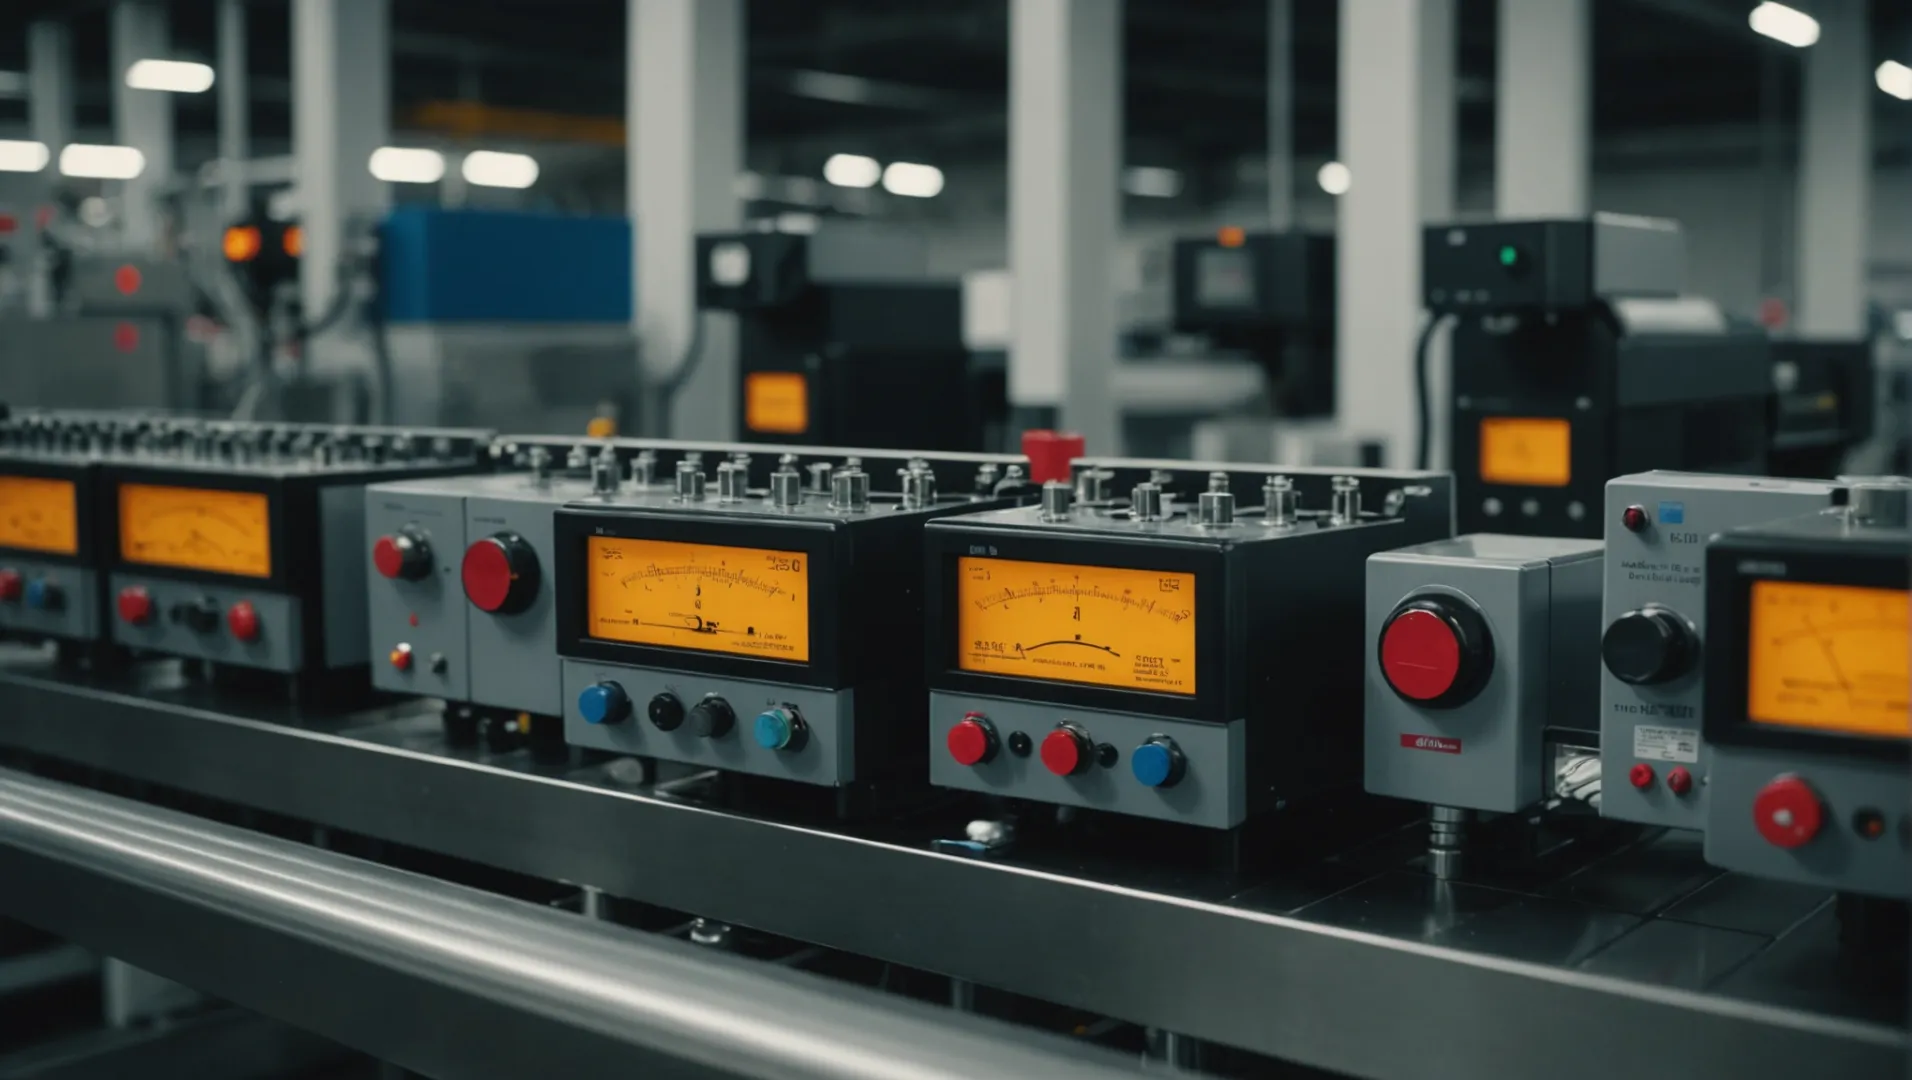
(1401, 175)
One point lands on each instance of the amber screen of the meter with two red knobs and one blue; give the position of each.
(1077, 624)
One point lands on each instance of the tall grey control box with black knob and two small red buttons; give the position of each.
(1664, 565)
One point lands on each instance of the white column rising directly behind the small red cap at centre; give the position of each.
(1066, 162)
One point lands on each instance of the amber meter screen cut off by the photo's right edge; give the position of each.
(1831, 659)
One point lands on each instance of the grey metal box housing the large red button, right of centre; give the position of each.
(1540, 599)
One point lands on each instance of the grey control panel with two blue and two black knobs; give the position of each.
(829, 716)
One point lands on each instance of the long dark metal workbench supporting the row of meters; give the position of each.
(1355, 962)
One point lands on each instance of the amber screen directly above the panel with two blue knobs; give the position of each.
(693, 595)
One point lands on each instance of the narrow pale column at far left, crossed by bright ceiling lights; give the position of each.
(142, 119)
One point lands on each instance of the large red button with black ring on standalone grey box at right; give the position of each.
(1435, 651)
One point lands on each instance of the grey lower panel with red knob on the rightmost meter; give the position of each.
(1838, 857)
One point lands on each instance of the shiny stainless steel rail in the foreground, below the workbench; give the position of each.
(452, 982)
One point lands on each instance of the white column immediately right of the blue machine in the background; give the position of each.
(685, 108)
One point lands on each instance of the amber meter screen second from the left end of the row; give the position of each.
(196, 529)
